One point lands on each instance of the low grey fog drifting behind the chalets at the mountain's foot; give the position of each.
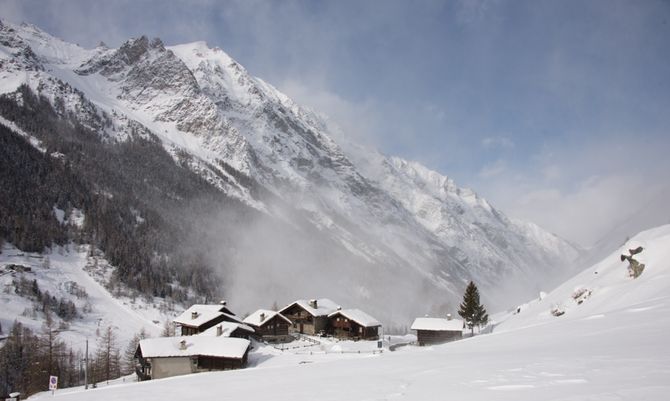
(264, 261)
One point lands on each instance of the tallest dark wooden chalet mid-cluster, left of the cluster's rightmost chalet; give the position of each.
(309, 316)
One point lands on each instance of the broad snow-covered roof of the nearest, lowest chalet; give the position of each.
(221, 347)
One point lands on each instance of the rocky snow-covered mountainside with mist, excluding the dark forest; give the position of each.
(378, 232)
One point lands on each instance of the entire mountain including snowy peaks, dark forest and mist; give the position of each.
(197, 179)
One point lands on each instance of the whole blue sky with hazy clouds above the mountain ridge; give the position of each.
(556, 111)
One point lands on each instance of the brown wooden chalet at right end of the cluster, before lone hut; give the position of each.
(353, 324)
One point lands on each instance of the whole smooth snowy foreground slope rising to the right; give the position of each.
(612, 346)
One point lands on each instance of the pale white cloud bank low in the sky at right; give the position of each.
(615, 187)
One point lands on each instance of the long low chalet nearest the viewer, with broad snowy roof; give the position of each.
(157, 358)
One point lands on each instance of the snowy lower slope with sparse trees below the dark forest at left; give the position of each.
(56, 272)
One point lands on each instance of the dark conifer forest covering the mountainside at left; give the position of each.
(139, 205)
